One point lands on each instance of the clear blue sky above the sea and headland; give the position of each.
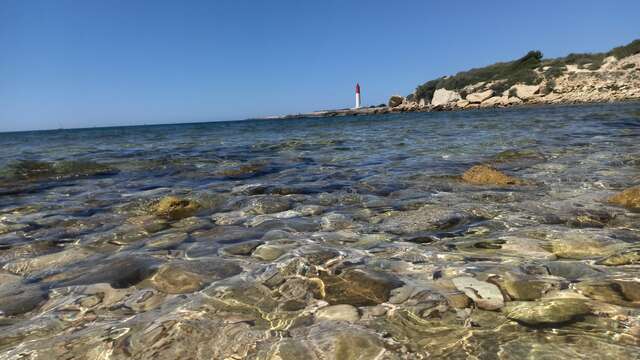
(90, 63)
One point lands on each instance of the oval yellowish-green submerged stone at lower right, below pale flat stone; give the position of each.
(548, 311)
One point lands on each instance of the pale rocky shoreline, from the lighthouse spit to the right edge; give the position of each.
(615, 80)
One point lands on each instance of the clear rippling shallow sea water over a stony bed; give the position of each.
(345, 238)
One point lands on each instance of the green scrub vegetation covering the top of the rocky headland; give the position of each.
(526, 70)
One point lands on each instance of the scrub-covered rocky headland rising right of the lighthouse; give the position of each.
(587, 77)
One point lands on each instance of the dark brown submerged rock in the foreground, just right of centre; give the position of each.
(359, 287)
